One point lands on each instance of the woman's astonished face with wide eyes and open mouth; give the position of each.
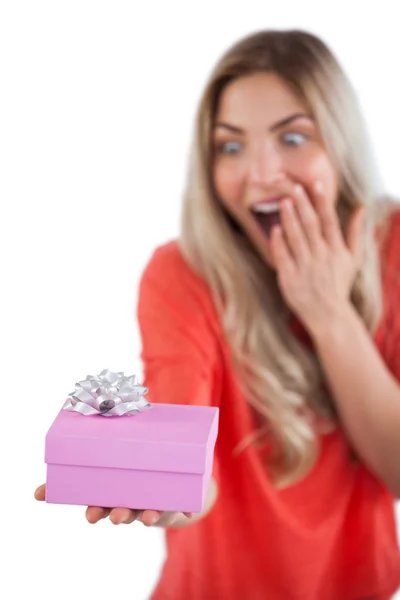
(265, 142)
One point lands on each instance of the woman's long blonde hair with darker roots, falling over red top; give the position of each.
(280, 377)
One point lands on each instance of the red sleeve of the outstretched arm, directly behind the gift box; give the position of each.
(177, 329)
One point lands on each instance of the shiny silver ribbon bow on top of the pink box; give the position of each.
(108, 394)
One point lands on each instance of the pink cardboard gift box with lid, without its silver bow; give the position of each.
(157, 459)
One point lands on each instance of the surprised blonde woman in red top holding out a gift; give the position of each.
(278, 304)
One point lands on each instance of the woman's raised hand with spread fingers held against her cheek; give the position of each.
(315, 266)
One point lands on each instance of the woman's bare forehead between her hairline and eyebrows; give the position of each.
(255, 97)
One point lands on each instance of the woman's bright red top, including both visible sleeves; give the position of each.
(330, 537)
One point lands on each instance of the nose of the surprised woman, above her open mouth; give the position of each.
(266, 166)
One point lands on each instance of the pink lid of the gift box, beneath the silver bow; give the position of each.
(168, 437)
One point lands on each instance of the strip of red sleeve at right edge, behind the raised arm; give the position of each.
(391, 271)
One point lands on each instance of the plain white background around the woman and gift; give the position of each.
(96, 108)
